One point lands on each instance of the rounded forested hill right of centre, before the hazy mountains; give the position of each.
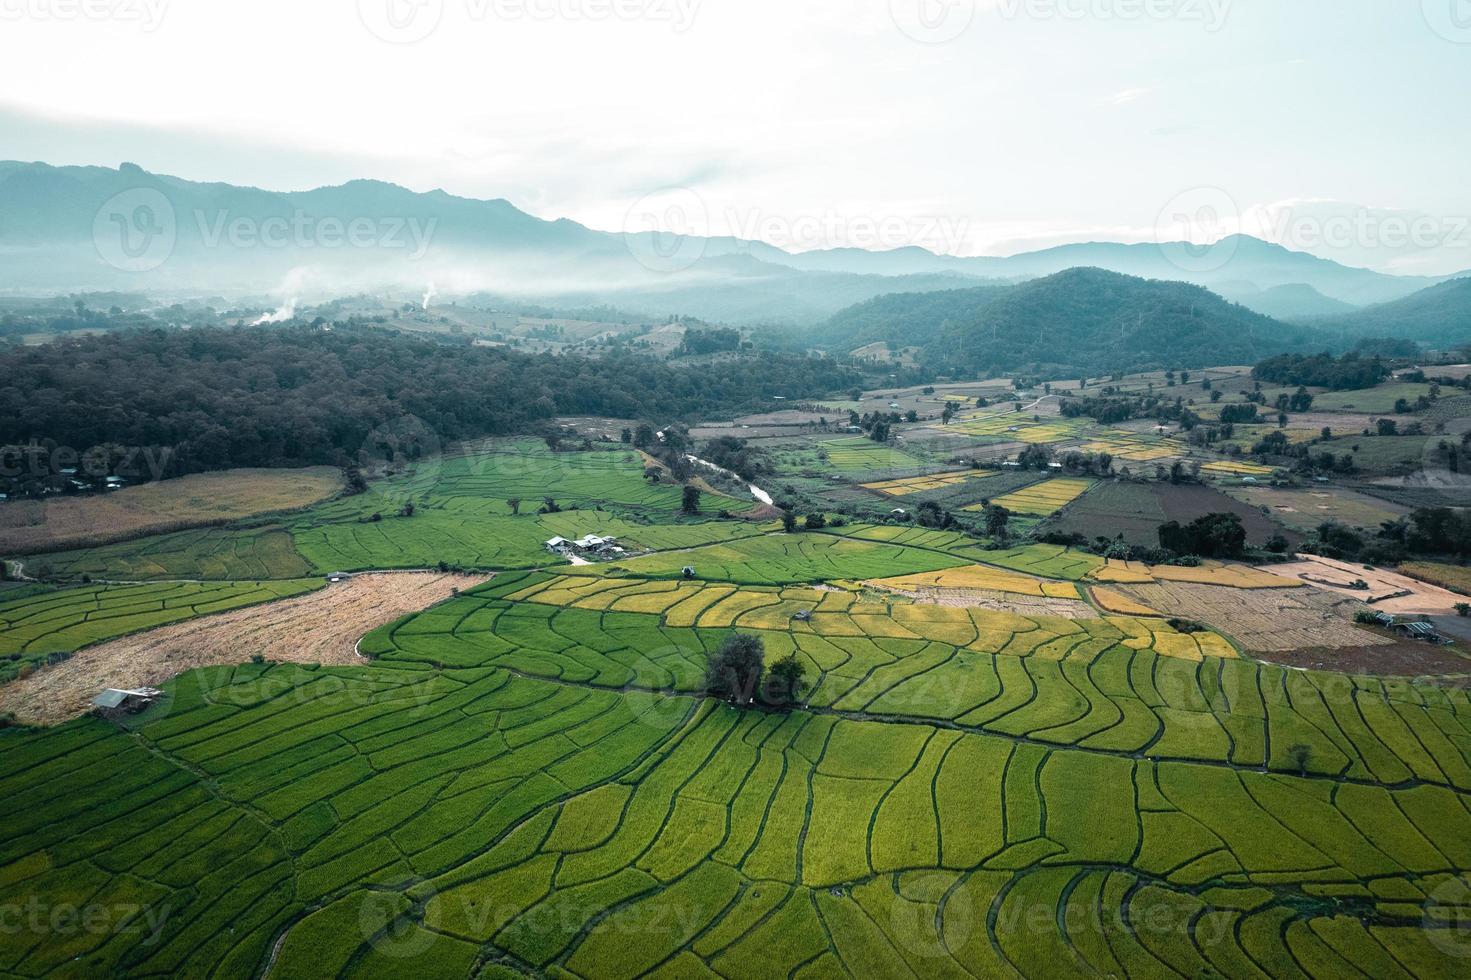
(1082, 322)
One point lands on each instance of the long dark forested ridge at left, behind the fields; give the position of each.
(301, 395)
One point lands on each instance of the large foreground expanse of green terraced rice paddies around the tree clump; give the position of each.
(530, 787)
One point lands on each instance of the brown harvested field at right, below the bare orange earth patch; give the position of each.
(1263, 620)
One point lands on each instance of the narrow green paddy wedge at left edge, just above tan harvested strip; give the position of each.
(36, 628)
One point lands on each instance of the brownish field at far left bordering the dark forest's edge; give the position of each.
(29, 528)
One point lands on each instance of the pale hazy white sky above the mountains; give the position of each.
(972, 127)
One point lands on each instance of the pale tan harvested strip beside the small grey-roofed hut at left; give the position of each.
(323, 628)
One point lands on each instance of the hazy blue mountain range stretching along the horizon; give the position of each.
(71, 229)
